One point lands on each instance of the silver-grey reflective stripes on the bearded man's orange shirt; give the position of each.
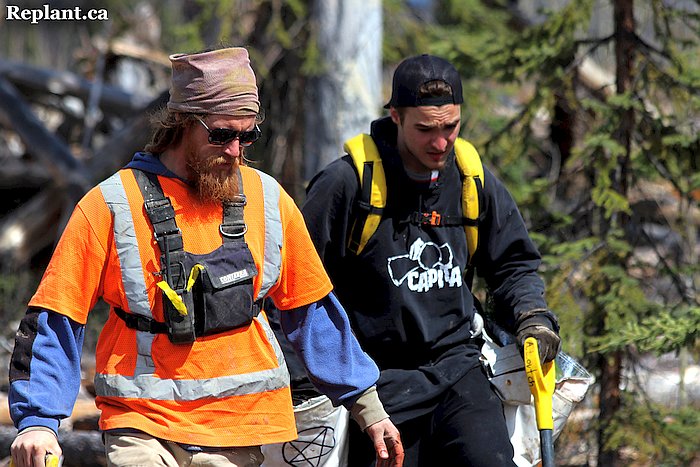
(144, 384)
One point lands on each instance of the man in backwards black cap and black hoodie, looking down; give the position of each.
(407, 290)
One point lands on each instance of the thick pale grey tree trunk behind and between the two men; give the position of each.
(346, 97)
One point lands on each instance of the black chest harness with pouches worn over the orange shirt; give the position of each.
(202, 294)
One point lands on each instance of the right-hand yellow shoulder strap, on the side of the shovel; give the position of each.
(472, 172)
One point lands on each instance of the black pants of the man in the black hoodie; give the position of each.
(467, 429)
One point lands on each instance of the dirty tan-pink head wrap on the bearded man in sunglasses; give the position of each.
(217, 82)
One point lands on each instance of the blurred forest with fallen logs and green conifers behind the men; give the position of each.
(588, 110)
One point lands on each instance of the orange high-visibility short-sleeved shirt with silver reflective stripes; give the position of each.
(228, 389)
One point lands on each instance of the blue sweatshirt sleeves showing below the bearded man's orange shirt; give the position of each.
(45, 368)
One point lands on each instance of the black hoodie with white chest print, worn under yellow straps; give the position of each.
(406, 295)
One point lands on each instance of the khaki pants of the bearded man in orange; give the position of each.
(140, 449)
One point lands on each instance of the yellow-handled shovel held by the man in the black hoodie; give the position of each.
(542, 380)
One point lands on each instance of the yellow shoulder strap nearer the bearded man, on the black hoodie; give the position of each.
(369, 166)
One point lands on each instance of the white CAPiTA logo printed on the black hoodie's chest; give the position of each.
(426, 265)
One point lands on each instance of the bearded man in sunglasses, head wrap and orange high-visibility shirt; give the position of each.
(184, 244)
